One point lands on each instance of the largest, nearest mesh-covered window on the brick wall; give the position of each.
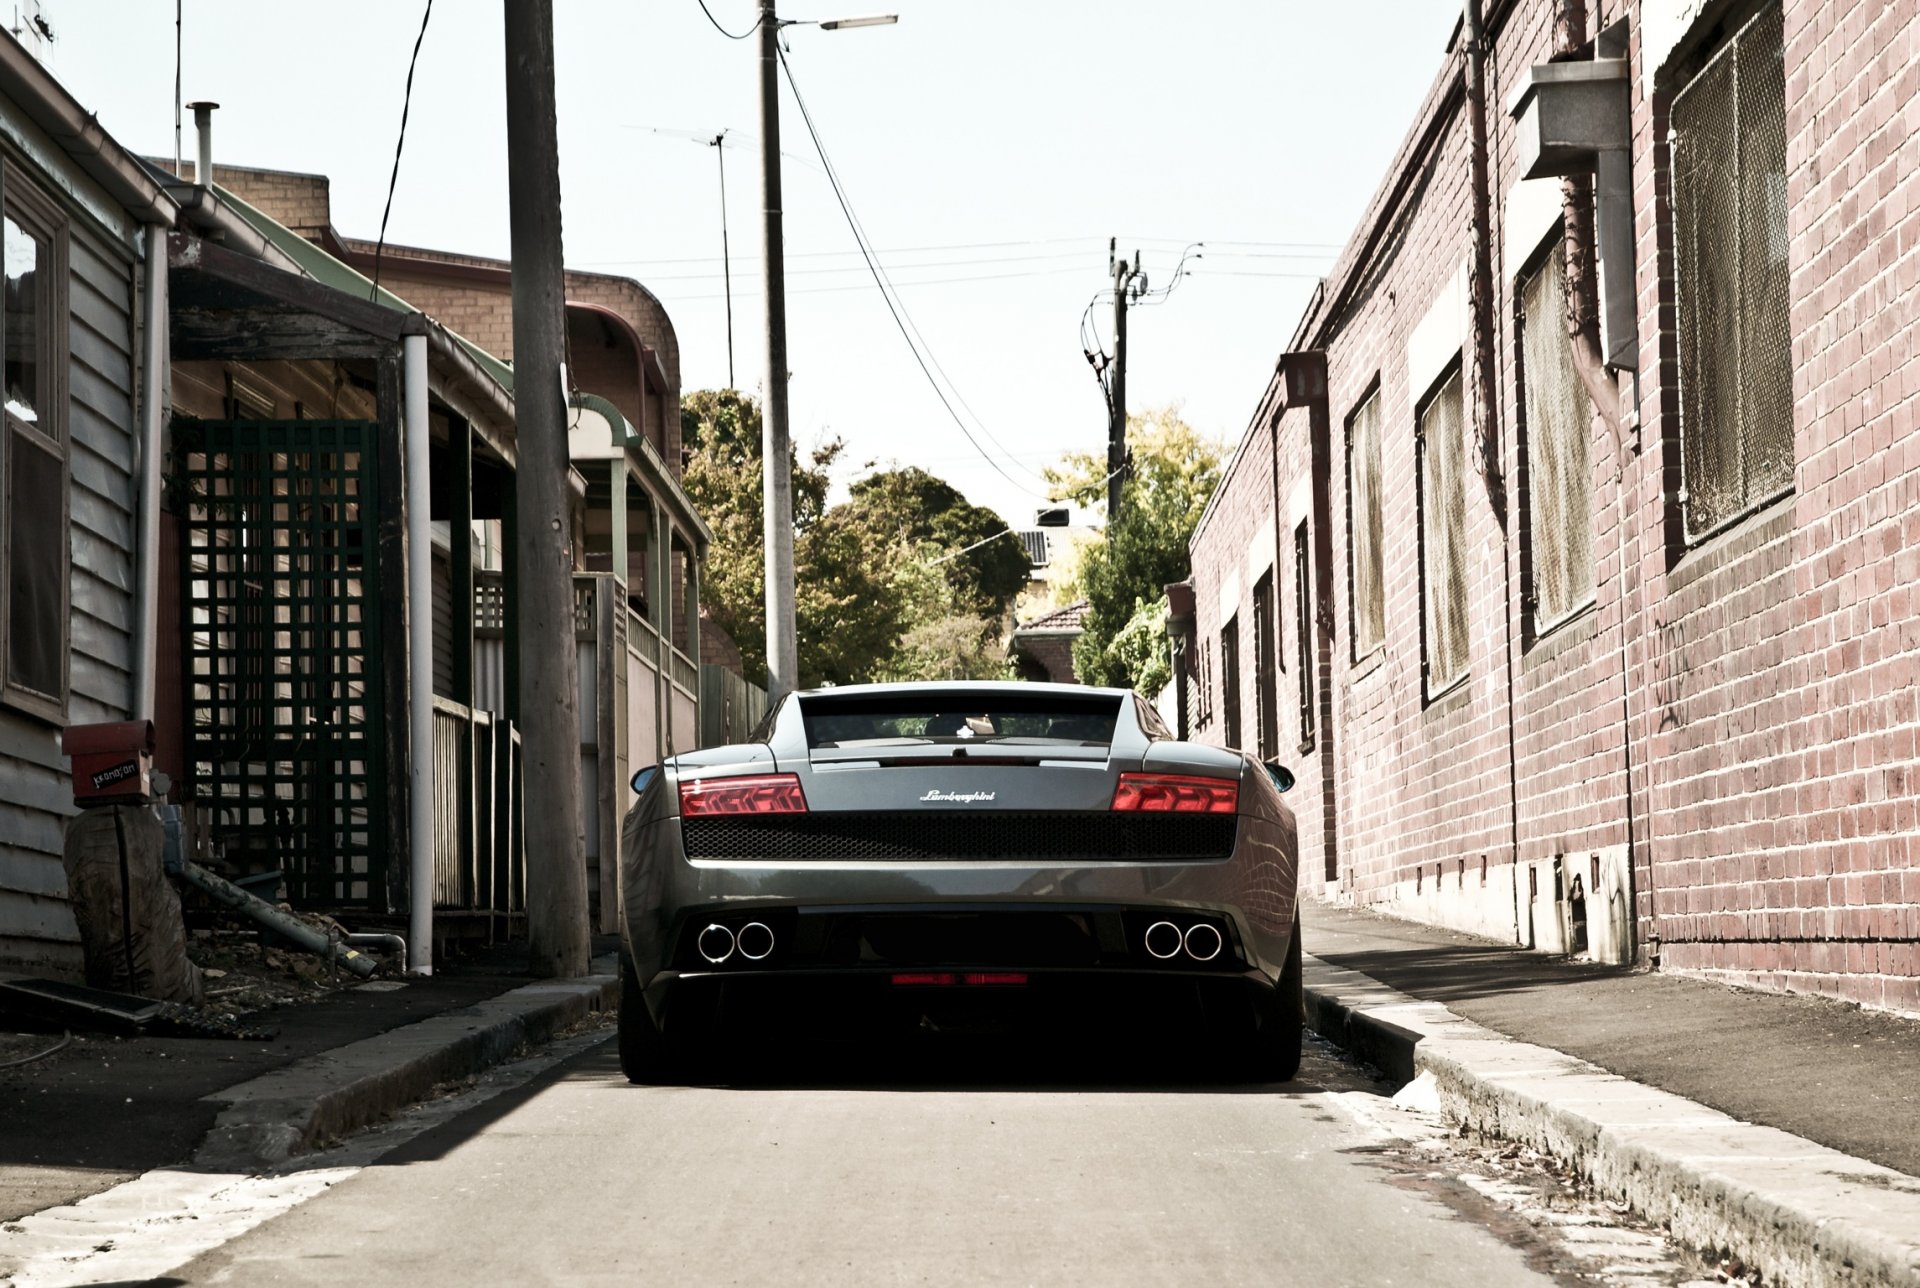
(1731, 249)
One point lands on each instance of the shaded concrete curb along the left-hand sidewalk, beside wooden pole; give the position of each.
(293, 1110)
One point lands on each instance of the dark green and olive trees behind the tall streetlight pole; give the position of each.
(876, 596)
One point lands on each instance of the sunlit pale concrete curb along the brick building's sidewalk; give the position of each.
(1796, 1210)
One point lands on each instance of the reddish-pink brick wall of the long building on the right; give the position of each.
(1721, 748)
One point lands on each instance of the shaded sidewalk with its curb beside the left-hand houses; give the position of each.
(103, 1110)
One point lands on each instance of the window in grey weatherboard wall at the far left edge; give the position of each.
(34, 452)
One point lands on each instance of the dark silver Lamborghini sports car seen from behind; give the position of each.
(961, 855)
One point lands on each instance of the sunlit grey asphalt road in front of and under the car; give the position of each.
(923, 1170)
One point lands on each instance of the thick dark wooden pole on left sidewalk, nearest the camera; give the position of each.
(550, 727)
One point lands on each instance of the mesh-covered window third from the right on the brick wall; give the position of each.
(1445, 537)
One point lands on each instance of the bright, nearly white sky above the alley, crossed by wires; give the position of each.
(988, 149)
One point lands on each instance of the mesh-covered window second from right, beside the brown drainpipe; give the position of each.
(1560, 481)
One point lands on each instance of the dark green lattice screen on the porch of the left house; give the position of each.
(285, 698)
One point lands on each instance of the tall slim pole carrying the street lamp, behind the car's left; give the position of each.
(782, 652)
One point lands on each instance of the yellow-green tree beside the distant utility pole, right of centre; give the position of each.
(1174, 471)
